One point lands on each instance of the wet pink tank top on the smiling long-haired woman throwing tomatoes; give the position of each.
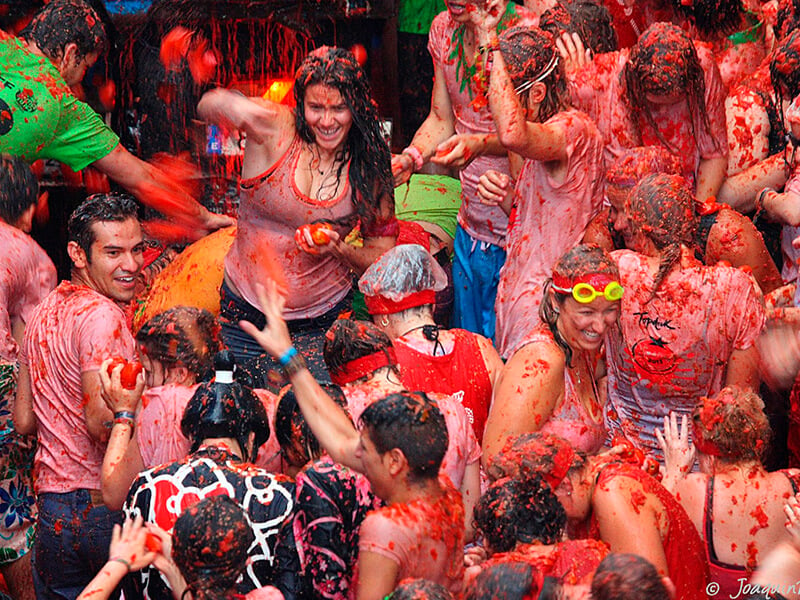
(271, 210)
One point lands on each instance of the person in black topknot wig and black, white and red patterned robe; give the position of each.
(226, 424)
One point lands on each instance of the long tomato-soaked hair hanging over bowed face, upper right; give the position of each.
(664, 61)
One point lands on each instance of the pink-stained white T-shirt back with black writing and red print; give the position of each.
(675, 346)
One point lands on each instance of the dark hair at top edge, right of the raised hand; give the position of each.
(591, 20)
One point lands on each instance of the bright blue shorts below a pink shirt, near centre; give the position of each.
(476, 274)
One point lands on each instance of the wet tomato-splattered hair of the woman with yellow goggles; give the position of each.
(583, 259)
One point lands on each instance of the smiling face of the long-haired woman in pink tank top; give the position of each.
(328, 116)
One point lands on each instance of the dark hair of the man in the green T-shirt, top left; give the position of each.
(63, 22)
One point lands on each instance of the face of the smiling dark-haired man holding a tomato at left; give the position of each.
(114, 260)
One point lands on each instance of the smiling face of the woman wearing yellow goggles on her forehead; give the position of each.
(584, 325)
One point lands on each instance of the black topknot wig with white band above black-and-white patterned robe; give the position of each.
(225, 410)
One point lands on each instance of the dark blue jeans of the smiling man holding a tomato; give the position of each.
(71, 544)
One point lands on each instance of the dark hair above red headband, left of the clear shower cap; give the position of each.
(347, 340)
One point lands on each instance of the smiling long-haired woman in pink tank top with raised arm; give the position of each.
(310, 174)
